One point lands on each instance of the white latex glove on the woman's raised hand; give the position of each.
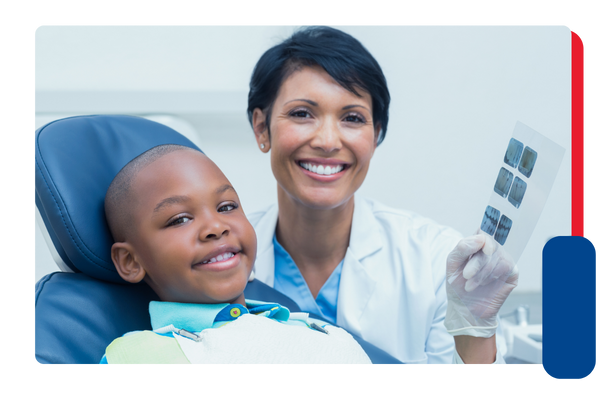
(480, 275)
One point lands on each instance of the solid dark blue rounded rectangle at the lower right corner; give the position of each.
(570, 308)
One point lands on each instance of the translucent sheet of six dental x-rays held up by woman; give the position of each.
(524, 180)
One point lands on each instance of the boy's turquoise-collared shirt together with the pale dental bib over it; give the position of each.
(261, 334)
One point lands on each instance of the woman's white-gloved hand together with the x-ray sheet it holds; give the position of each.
(481, 271)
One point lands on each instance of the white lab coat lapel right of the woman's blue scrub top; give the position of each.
(358, 280)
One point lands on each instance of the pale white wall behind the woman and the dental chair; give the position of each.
(457, 92)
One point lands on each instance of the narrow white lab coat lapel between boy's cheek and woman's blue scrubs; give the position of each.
(264, 266)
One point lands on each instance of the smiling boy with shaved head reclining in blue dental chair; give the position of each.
(178, 225)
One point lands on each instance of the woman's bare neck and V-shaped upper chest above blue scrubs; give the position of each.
(316, 239)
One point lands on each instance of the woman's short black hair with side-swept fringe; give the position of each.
(341, 55)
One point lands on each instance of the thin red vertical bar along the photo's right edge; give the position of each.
(578, 135)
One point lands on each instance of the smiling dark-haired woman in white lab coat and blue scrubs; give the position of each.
(318, 103)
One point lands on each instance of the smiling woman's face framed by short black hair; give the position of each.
(322, 139)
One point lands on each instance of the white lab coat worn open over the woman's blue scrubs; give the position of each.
(392, 289)
